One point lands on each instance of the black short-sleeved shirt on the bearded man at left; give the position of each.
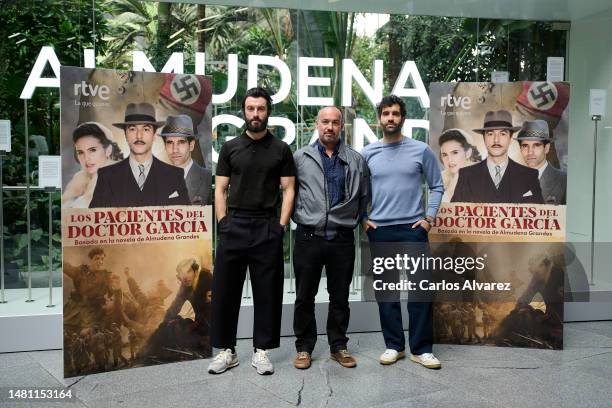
(255, 168)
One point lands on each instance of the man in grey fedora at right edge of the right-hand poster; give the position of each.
(535, 143)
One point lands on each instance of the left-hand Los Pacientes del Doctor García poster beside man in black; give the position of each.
(136, 218)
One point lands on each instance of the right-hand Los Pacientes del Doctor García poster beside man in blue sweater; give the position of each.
(503, 149)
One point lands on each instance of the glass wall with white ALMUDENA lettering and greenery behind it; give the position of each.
(443, 49)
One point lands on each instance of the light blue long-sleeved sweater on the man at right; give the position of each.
(398, 171)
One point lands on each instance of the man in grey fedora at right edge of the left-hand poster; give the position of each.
(179, 141)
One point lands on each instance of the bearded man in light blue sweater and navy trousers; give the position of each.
(398, 167)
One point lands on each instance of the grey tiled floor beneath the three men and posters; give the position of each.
(472, 376)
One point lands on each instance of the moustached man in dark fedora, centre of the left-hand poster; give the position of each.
(140, 180)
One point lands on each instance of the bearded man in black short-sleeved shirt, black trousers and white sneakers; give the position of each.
(249, 171)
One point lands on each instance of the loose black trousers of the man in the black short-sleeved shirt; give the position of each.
(256, 242)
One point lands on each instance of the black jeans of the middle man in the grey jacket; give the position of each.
(310, 255)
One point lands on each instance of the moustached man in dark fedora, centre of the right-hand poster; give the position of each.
(498, 179)
